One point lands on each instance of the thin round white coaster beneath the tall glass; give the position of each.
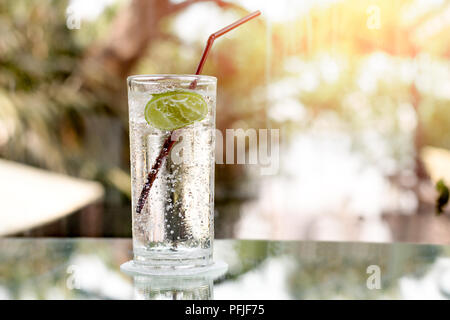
(216, 269)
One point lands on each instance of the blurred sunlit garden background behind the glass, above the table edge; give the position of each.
(360, 91)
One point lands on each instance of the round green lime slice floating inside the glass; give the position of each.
(175, 109)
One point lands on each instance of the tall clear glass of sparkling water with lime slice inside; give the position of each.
(174, 228)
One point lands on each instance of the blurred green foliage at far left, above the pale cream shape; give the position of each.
(44, 112)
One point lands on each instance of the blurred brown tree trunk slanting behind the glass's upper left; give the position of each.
(108, 62)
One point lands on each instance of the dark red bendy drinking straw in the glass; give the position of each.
(171, 139)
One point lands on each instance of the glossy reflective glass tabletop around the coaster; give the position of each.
(88, 268)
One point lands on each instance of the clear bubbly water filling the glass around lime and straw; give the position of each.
(175, 226)
